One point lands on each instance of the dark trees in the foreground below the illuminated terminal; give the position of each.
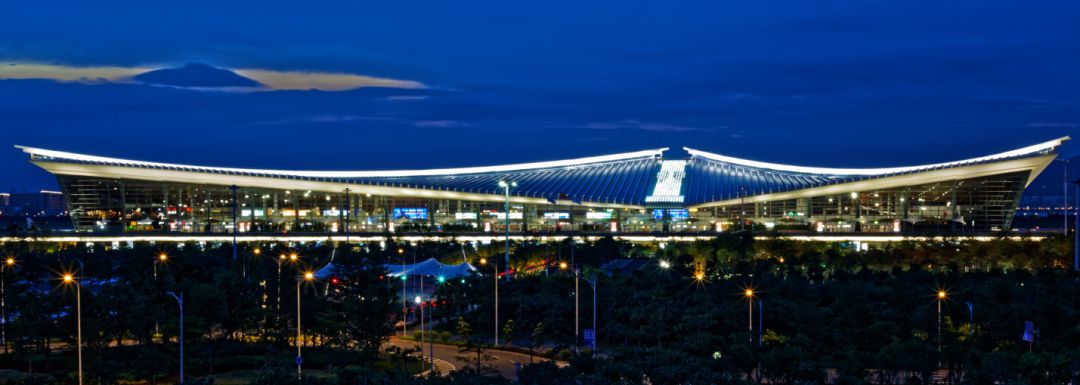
(822, 313)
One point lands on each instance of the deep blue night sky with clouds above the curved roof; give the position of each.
(356, 86)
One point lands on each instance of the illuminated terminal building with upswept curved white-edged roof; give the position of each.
(632, 193)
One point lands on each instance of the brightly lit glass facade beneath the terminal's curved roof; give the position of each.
(129, 206)
